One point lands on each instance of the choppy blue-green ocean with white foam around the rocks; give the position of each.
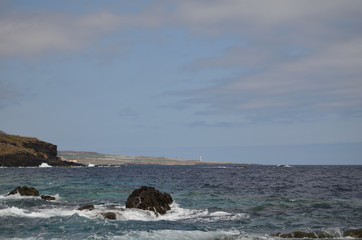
(210, 202)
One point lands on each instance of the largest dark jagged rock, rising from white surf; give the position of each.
(148, 198)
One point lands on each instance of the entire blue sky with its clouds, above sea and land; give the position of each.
(263, 82)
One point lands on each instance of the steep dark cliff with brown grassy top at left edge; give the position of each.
(18, 151)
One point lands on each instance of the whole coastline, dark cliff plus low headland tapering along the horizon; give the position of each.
(20, 151)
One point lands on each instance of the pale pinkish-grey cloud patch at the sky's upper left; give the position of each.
(33, 34)
